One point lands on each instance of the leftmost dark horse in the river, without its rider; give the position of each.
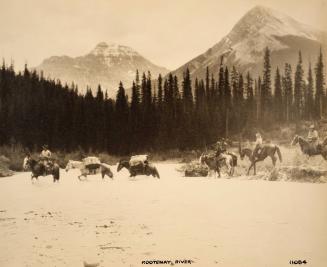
(38, 168)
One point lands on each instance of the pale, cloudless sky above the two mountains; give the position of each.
(167, 32)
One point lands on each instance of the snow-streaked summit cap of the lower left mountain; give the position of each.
(113, 50)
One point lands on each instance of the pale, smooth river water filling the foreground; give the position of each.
(122, 222)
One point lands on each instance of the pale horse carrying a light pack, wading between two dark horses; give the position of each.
(90, 165)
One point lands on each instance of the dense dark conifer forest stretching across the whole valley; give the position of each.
(162, 113)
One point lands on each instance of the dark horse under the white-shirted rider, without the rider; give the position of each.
(267, 150)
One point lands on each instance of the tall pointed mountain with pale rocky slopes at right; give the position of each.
(259, 28)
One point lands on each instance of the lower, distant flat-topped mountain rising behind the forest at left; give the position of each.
(106, 64)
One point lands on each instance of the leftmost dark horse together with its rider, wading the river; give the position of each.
(42, 167)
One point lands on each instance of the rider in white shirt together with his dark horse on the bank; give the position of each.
(260, 152)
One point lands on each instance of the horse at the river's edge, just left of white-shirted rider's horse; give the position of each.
(215, 162)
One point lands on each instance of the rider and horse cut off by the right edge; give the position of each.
(312, 146)
